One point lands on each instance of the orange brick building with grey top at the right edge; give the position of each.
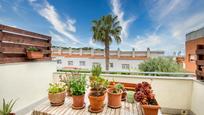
(193, 39)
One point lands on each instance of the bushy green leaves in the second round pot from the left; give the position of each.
(78, 86)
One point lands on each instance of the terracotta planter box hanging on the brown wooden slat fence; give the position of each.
(34, 55)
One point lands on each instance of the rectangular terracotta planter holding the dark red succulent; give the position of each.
(150, 109)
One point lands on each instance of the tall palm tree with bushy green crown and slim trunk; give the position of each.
(104, 31)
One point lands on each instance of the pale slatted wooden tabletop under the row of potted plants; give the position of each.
(66, 109)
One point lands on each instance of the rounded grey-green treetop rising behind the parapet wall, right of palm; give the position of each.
(160, 64)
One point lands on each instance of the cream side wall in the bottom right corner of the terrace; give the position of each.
(197, 104)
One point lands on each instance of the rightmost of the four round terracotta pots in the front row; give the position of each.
(114, 99)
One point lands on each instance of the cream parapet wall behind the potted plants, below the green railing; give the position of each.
(173, 93)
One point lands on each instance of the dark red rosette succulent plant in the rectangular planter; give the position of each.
(144, 94)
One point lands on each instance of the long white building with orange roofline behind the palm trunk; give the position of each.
(85, 59)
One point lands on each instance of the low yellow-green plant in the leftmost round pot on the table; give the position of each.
(56, 88)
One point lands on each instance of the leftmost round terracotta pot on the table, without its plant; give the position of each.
(57, 99)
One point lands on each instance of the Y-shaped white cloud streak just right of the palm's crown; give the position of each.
(116, 9)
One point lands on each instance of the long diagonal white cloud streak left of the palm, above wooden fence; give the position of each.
(66, 28)
